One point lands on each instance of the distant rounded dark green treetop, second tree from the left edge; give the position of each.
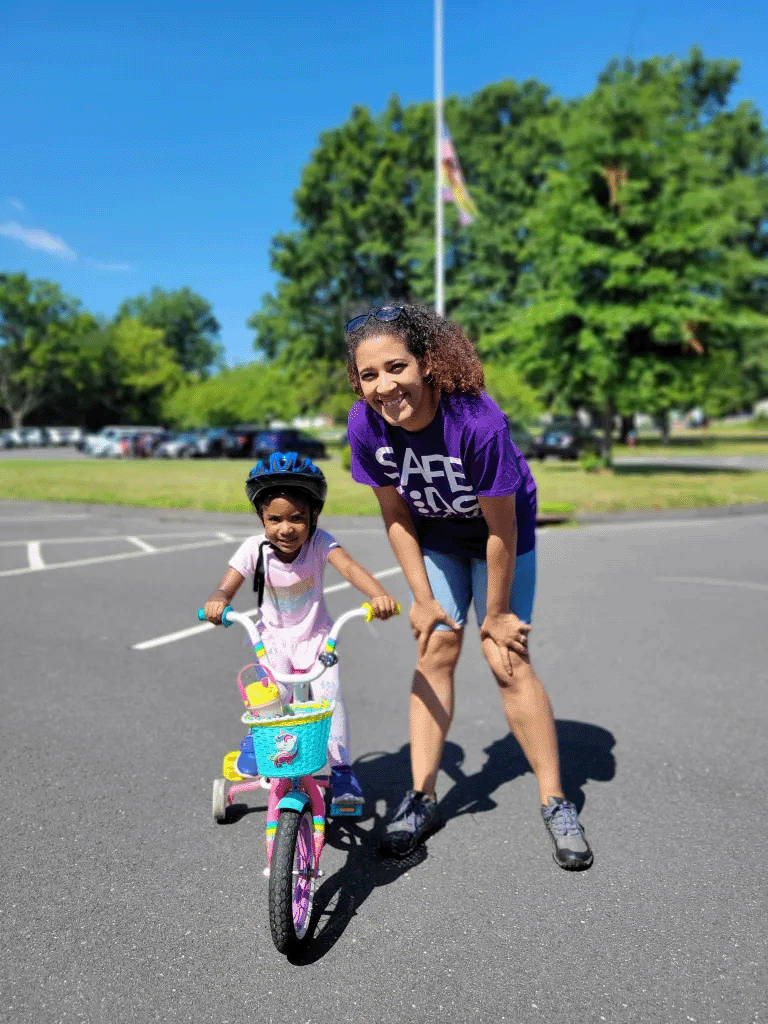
(188, 325)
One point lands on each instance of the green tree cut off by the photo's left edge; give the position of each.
(41, 335)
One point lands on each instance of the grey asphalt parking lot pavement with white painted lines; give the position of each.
(123, 901)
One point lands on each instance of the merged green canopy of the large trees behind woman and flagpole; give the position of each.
(620, 251)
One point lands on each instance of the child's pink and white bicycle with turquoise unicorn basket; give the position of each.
(291, 747)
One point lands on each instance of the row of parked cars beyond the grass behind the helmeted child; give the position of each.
(212, 443)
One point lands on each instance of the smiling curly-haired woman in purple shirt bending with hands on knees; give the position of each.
(459, 504)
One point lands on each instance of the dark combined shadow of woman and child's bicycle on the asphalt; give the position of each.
(586, 753)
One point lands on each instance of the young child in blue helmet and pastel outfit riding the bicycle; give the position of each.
(288, 563)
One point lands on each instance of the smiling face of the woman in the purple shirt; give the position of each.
(394, 385)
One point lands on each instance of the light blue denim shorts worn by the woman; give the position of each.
(457, 581)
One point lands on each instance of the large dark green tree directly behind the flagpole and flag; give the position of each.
(366, 214)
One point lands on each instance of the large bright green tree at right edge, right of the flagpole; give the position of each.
(644, 242)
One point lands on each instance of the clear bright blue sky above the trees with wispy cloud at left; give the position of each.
(152, 143)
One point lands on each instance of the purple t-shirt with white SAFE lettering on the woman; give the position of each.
(441, 472)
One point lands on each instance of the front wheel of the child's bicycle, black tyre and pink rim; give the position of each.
(292, 881)
